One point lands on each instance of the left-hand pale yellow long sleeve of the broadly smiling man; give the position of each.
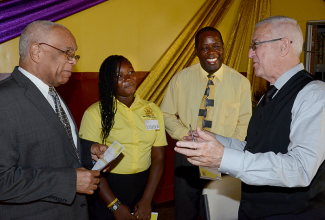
(175, 128)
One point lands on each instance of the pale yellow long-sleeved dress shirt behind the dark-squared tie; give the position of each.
(232, 102)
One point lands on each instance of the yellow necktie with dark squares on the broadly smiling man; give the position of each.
(206, 107)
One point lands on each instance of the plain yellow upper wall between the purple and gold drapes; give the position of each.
(141, 30)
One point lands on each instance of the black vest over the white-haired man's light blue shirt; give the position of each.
(269, 130)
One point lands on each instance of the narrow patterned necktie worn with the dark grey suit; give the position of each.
(62, 116)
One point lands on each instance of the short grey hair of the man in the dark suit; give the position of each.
(34, 33)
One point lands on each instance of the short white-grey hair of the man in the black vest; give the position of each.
(283, 26)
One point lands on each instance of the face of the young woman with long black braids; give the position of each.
(127, 81)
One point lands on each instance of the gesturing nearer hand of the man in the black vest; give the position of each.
(208, 151)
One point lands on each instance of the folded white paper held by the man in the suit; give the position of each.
(110, 154)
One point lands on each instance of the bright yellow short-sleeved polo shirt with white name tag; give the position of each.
(129, 130)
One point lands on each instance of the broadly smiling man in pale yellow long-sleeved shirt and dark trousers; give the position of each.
(231, 113)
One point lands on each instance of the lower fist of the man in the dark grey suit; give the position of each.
(87, 180)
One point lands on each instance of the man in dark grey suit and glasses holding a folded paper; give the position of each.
(41, 173)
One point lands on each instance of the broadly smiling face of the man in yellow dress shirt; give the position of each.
(210, 51)
